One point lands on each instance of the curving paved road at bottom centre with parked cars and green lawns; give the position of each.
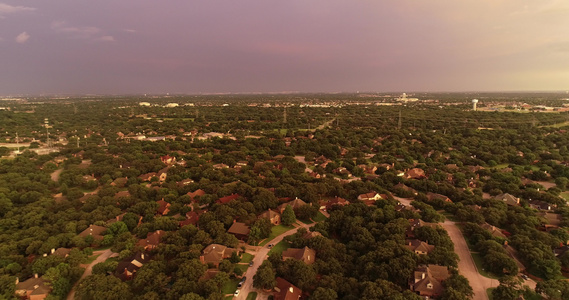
(260, 255)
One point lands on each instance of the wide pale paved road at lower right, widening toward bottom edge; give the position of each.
(466, 265)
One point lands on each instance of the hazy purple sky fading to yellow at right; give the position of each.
(214, 46)
